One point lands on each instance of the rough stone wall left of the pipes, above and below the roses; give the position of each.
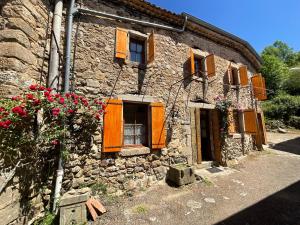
(24, 48)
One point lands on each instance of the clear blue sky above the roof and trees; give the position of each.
(260, 22)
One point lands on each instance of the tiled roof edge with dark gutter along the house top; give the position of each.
(200, 27)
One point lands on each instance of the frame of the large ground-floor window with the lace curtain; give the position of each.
(147, 126)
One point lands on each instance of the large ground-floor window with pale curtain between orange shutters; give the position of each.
(135, 124)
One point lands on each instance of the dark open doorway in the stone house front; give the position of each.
(205, 136)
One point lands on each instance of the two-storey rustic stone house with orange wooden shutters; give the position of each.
(160, 73)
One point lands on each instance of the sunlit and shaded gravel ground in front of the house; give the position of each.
(264, 188)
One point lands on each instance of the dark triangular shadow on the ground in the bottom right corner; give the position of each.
(281, 208)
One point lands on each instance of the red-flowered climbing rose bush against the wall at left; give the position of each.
(40, 118)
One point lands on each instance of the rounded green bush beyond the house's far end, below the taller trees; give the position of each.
(282, 107)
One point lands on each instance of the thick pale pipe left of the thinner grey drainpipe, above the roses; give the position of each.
(55, 42)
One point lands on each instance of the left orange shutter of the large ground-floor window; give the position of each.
(113, 126)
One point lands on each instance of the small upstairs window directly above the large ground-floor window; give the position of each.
(137, 50)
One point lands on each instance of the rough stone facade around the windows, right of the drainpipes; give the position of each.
(98, 73)
